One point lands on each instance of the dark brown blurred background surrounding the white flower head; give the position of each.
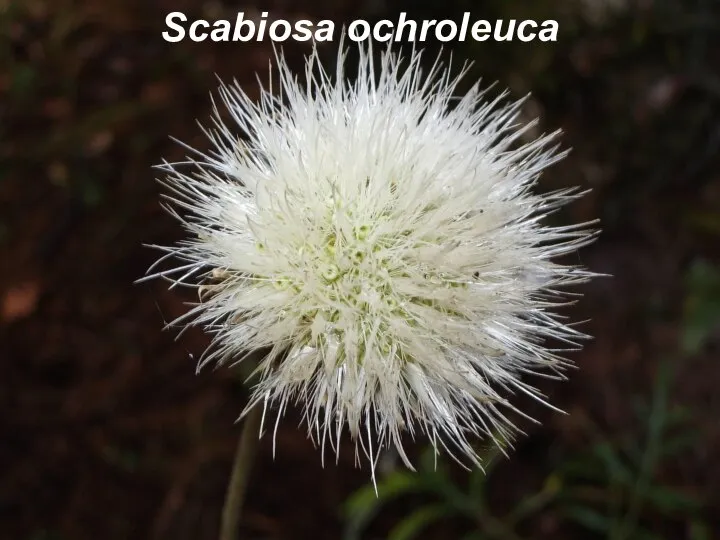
(107, 433)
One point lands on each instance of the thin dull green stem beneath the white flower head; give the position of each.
(244, 457)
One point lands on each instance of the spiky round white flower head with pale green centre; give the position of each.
(381, 241)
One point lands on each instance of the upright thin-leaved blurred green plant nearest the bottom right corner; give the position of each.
(608, 489)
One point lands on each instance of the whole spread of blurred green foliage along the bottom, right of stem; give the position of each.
(607, 489)
